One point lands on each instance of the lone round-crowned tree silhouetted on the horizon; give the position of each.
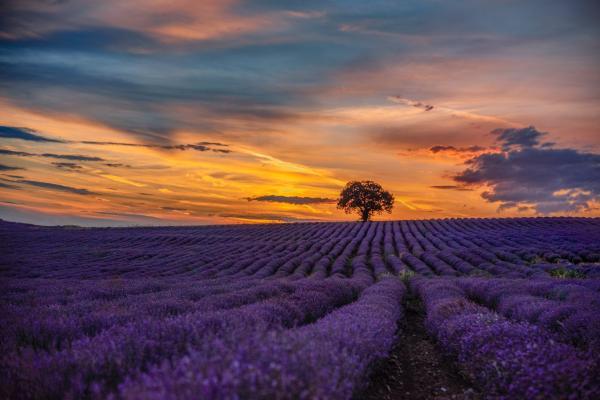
(366, 198)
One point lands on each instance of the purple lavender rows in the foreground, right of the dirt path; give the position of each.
(523, 339)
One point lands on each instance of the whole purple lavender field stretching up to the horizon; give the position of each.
(298, 311)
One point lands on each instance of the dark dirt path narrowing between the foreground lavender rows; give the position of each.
(416, 369)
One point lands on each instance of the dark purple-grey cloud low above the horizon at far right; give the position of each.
(528, 174)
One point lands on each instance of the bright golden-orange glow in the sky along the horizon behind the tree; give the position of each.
(205, 187)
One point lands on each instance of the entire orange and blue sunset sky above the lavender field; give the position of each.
(166, 112)
